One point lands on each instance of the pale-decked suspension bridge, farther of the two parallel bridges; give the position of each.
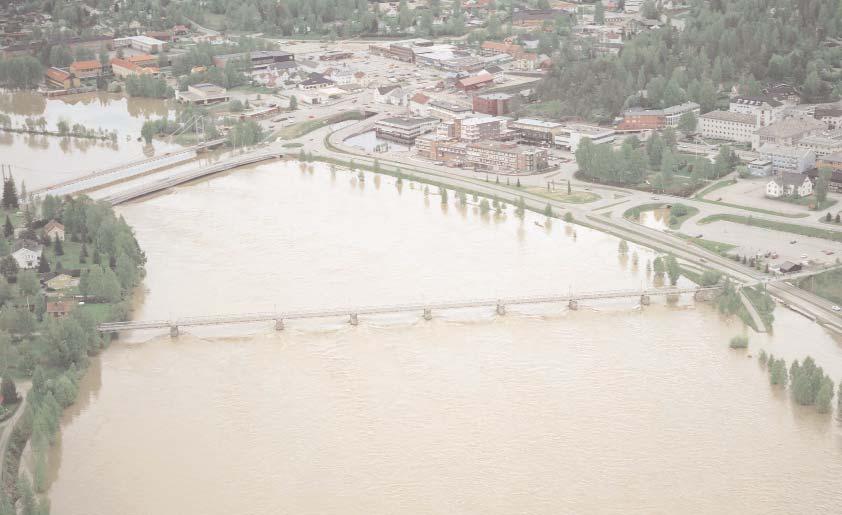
(132, 169)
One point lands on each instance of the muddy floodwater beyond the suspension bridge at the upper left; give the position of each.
(45, 160)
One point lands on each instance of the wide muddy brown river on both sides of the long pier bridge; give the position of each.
(608, 409)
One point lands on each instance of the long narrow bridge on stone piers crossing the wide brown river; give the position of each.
(425, 309)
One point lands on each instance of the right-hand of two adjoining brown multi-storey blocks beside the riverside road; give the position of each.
(495, 156)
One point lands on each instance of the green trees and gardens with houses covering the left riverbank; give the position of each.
(47, 331)
